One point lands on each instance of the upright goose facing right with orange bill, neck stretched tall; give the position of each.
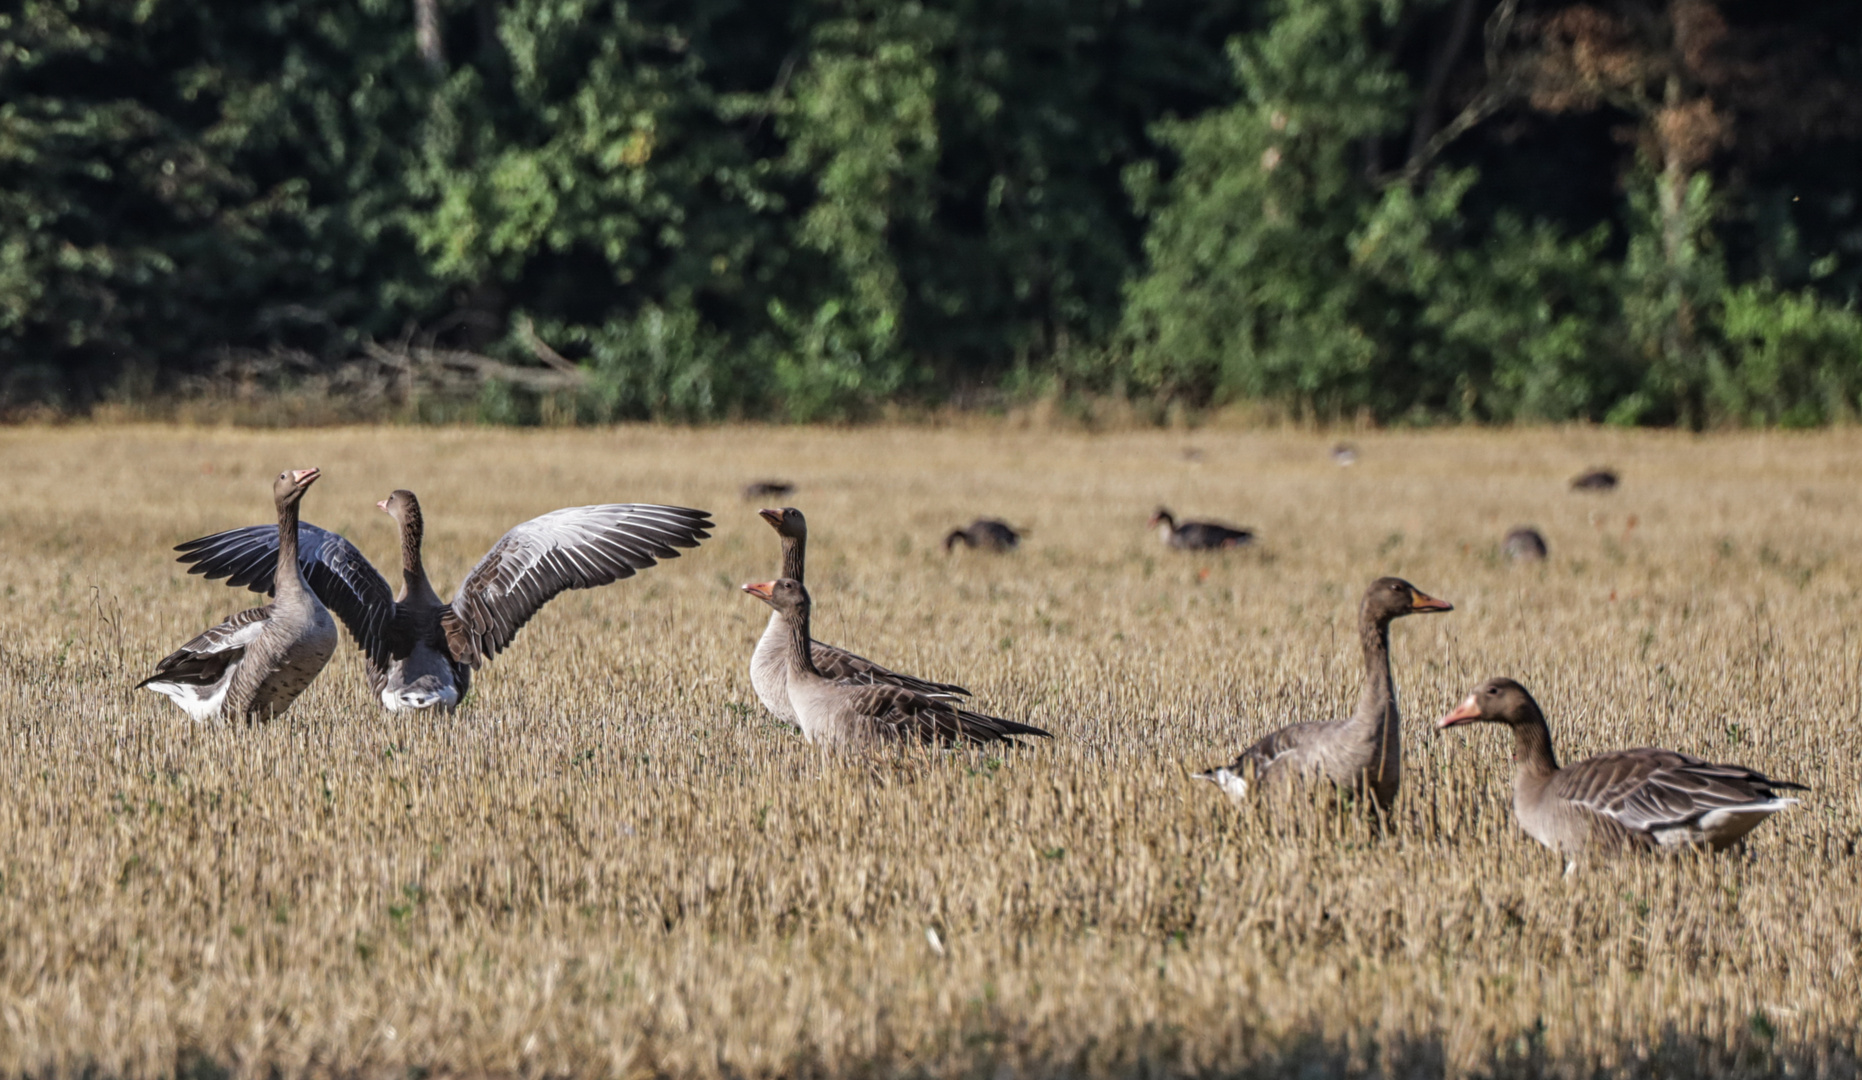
(1360, 751)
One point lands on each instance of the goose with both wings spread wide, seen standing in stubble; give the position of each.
(422, 651)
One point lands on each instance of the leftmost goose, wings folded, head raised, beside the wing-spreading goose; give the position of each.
(258, 662)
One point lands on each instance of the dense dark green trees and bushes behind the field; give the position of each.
(1407, 209)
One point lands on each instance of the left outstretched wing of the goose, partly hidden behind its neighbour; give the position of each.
(349, 586)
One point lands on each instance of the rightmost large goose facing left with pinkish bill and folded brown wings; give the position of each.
(1626, 800)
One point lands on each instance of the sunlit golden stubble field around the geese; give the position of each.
(614, 863)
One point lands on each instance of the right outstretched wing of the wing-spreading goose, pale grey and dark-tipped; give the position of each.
(576, 548)
